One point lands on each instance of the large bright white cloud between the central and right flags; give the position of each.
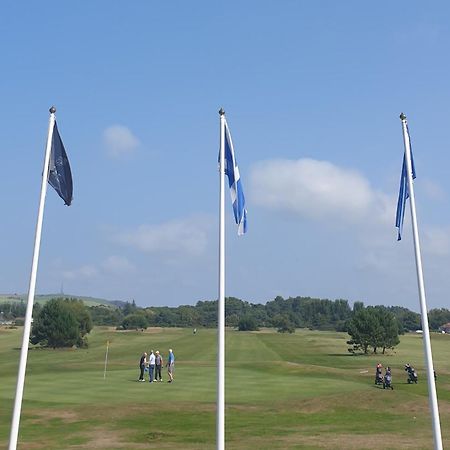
(317, 190)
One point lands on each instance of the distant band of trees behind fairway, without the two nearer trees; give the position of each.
(290, 313)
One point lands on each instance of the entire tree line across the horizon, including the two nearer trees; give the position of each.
(66, 322)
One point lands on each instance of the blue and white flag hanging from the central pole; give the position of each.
(235, 183)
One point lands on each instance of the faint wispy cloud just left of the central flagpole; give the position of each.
(187, 236)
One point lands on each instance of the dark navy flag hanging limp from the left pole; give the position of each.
(60, 176)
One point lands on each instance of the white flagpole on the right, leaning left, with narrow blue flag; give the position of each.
(432, 397)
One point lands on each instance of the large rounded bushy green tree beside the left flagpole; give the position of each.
(56, 325)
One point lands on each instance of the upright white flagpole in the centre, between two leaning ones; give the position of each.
(220, 415)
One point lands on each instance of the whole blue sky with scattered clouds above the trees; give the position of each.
(312, 93)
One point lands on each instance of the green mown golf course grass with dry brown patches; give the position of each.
(300, 391)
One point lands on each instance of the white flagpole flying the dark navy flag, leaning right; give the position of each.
(34, 266)
